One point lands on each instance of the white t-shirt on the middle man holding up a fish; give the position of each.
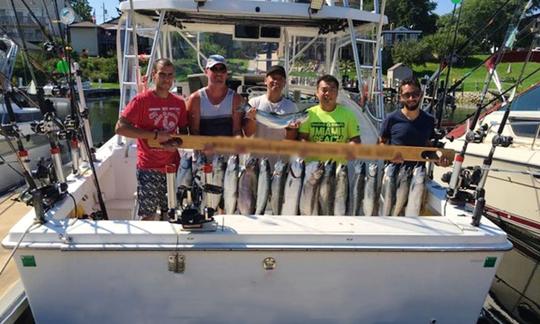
(284, 106)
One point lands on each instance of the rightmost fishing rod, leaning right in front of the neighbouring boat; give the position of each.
(498, 140)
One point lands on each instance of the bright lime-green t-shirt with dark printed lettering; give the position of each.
(338, 126)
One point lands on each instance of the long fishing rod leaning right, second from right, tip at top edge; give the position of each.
(470, 136)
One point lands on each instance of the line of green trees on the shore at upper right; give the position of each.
(481, 27)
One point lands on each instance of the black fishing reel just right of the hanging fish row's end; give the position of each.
(468, 180)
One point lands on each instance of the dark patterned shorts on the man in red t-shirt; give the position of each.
(151, 192)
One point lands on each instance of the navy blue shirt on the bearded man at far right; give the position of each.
(398, 130)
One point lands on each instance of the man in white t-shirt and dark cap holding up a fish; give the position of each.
(272, 101)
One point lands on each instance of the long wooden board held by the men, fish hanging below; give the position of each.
(327, 151)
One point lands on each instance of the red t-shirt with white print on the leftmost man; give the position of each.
(150, 112)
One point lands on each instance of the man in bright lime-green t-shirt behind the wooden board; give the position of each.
(328, 121)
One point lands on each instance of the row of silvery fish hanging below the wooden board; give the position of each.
(300, 188)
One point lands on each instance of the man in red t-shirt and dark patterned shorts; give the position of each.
(154, 114)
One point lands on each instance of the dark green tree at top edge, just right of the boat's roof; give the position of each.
(415, 14)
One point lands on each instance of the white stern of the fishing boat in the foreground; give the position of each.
(121, 275)
